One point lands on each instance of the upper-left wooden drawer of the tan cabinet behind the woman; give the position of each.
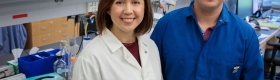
(44, 26)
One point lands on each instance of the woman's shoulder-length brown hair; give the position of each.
(103, 19)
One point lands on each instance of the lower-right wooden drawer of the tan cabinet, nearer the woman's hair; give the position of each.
(66, 32)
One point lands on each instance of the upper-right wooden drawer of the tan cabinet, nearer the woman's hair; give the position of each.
(63, 23)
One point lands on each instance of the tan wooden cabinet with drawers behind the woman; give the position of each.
(45, 32)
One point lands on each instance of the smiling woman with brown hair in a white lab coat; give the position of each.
(120, 52)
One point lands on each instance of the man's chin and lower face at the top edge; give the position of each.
(209, 4)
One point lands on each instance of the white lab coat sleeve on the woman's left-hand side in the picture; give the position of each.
(85, 70)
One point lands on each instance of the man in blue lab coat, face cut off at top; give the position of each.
(207, 42)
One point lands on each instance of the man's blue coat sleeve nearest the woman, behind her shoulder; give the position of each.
(158, 36)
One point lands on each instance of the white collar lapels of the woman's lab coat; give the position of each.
(114, 44)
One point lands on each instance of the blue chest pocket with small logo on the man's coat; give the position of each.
(227, 70)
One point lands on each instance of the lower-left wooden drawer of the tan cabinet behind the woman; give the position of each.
(43, 39)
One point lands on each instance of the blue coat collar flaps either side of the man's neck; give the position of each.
(223, 17)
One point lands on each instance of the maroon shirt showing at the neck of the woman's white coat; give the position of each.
(133, 48)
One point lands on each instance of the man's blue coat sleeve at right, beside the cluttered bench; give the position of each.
(253, 67)
